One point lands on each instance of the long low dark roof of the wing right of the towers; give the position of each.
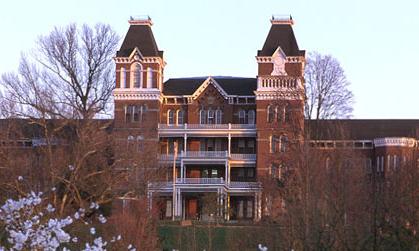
(362, 129)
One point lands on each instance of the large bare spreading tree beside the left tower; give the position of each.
(70, 74)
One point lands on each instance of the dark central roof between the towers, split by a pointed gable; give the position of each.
(231, 85)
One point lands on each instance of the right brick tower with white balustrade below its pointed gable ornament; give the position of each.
(279, 97)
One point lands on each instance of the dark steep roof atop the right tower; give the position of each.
(281, 35)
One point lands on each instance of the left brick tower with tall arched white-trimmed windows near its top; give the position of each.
(139, 82)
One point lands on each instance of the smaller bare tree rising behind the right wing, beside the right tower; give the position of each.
(327, 89)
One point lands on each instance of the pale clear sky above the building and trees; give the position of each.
(376, 41)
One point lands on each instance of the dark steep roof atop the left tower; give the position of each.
(140, 36)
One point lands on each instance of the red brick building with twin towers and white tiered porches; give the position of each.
(222, 134)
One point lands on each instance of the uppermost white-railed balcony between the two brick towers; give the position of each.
(223, 130)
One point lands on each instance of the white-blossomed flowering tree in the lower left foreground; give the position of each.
(29, 225)
